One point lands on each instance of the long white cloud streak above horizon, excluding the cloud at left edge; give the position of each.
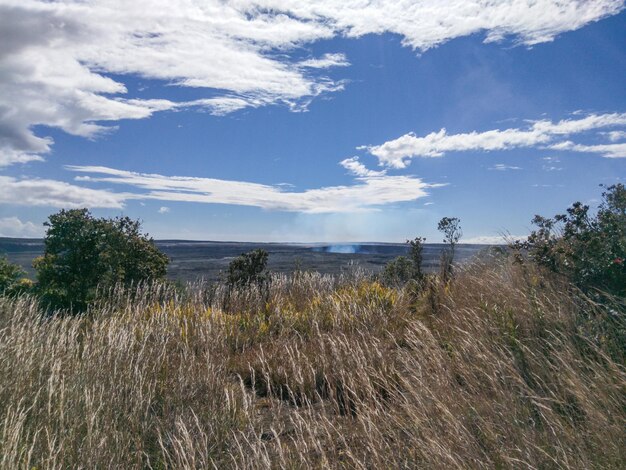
(368, 193)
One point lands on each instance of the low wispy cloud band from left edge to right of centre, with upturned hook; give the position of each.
(370, 191)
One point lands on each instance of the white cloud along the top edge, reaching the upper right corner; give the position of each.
(428, 23)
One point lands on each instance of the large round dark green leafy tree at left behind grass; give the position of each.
(83, 253)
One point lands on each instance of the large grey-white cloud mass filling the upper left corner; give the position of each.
(54, 57)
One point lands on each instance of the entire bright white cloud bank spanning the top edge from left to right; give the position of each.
(57, 58)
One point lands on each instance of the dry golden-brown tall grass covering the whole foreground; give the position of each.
(505, 367)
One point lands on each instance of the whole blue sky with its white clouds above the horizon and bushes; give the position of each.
(290, 121)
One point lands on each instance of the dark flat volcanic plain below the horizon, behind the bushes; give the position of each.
(194, 260)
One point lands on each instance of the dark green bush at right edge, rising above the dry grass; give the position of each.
(590, 250)
